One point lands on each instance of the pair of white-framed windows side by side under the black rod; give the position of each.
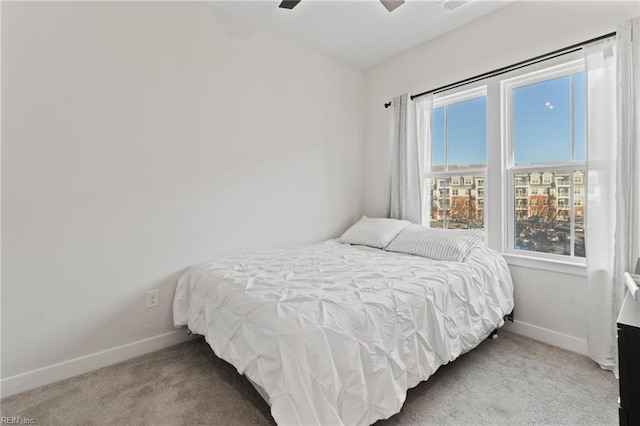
(536, 143)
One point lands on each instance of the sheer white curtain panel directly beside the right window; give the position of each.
(600, 63)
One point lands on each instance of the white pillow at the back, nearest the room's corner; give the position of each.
(373, 232)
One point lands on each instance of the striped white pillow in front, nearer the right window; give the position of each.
(438, 244)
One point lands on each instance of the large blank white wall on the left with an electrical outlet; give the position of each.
(140, 138)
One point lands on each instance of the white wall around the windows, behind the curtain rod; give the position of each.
(550, 305)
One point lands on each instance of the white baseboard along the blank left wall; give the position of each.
(73, 367)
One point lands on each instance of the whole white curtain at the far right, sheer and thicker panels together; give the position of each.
(613, 162)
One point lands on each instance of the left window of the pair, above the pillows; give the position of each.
(458, 159)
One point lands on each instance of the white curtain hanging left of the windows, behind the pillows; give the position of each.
(406, 165)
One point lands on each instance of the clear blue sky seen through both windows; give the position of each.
(541, 125)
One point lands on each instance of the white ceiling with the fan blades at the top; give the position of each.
(359, 32)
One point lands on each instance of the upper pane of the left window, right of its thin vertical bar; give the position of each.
(467, 134)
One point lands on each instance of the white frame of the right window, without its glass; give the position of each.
(510, 169)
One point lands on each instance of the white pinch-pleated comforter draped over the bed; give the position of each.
(336, 334)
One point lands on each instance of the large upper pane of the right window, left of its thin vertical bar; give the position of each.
(542, 122)
